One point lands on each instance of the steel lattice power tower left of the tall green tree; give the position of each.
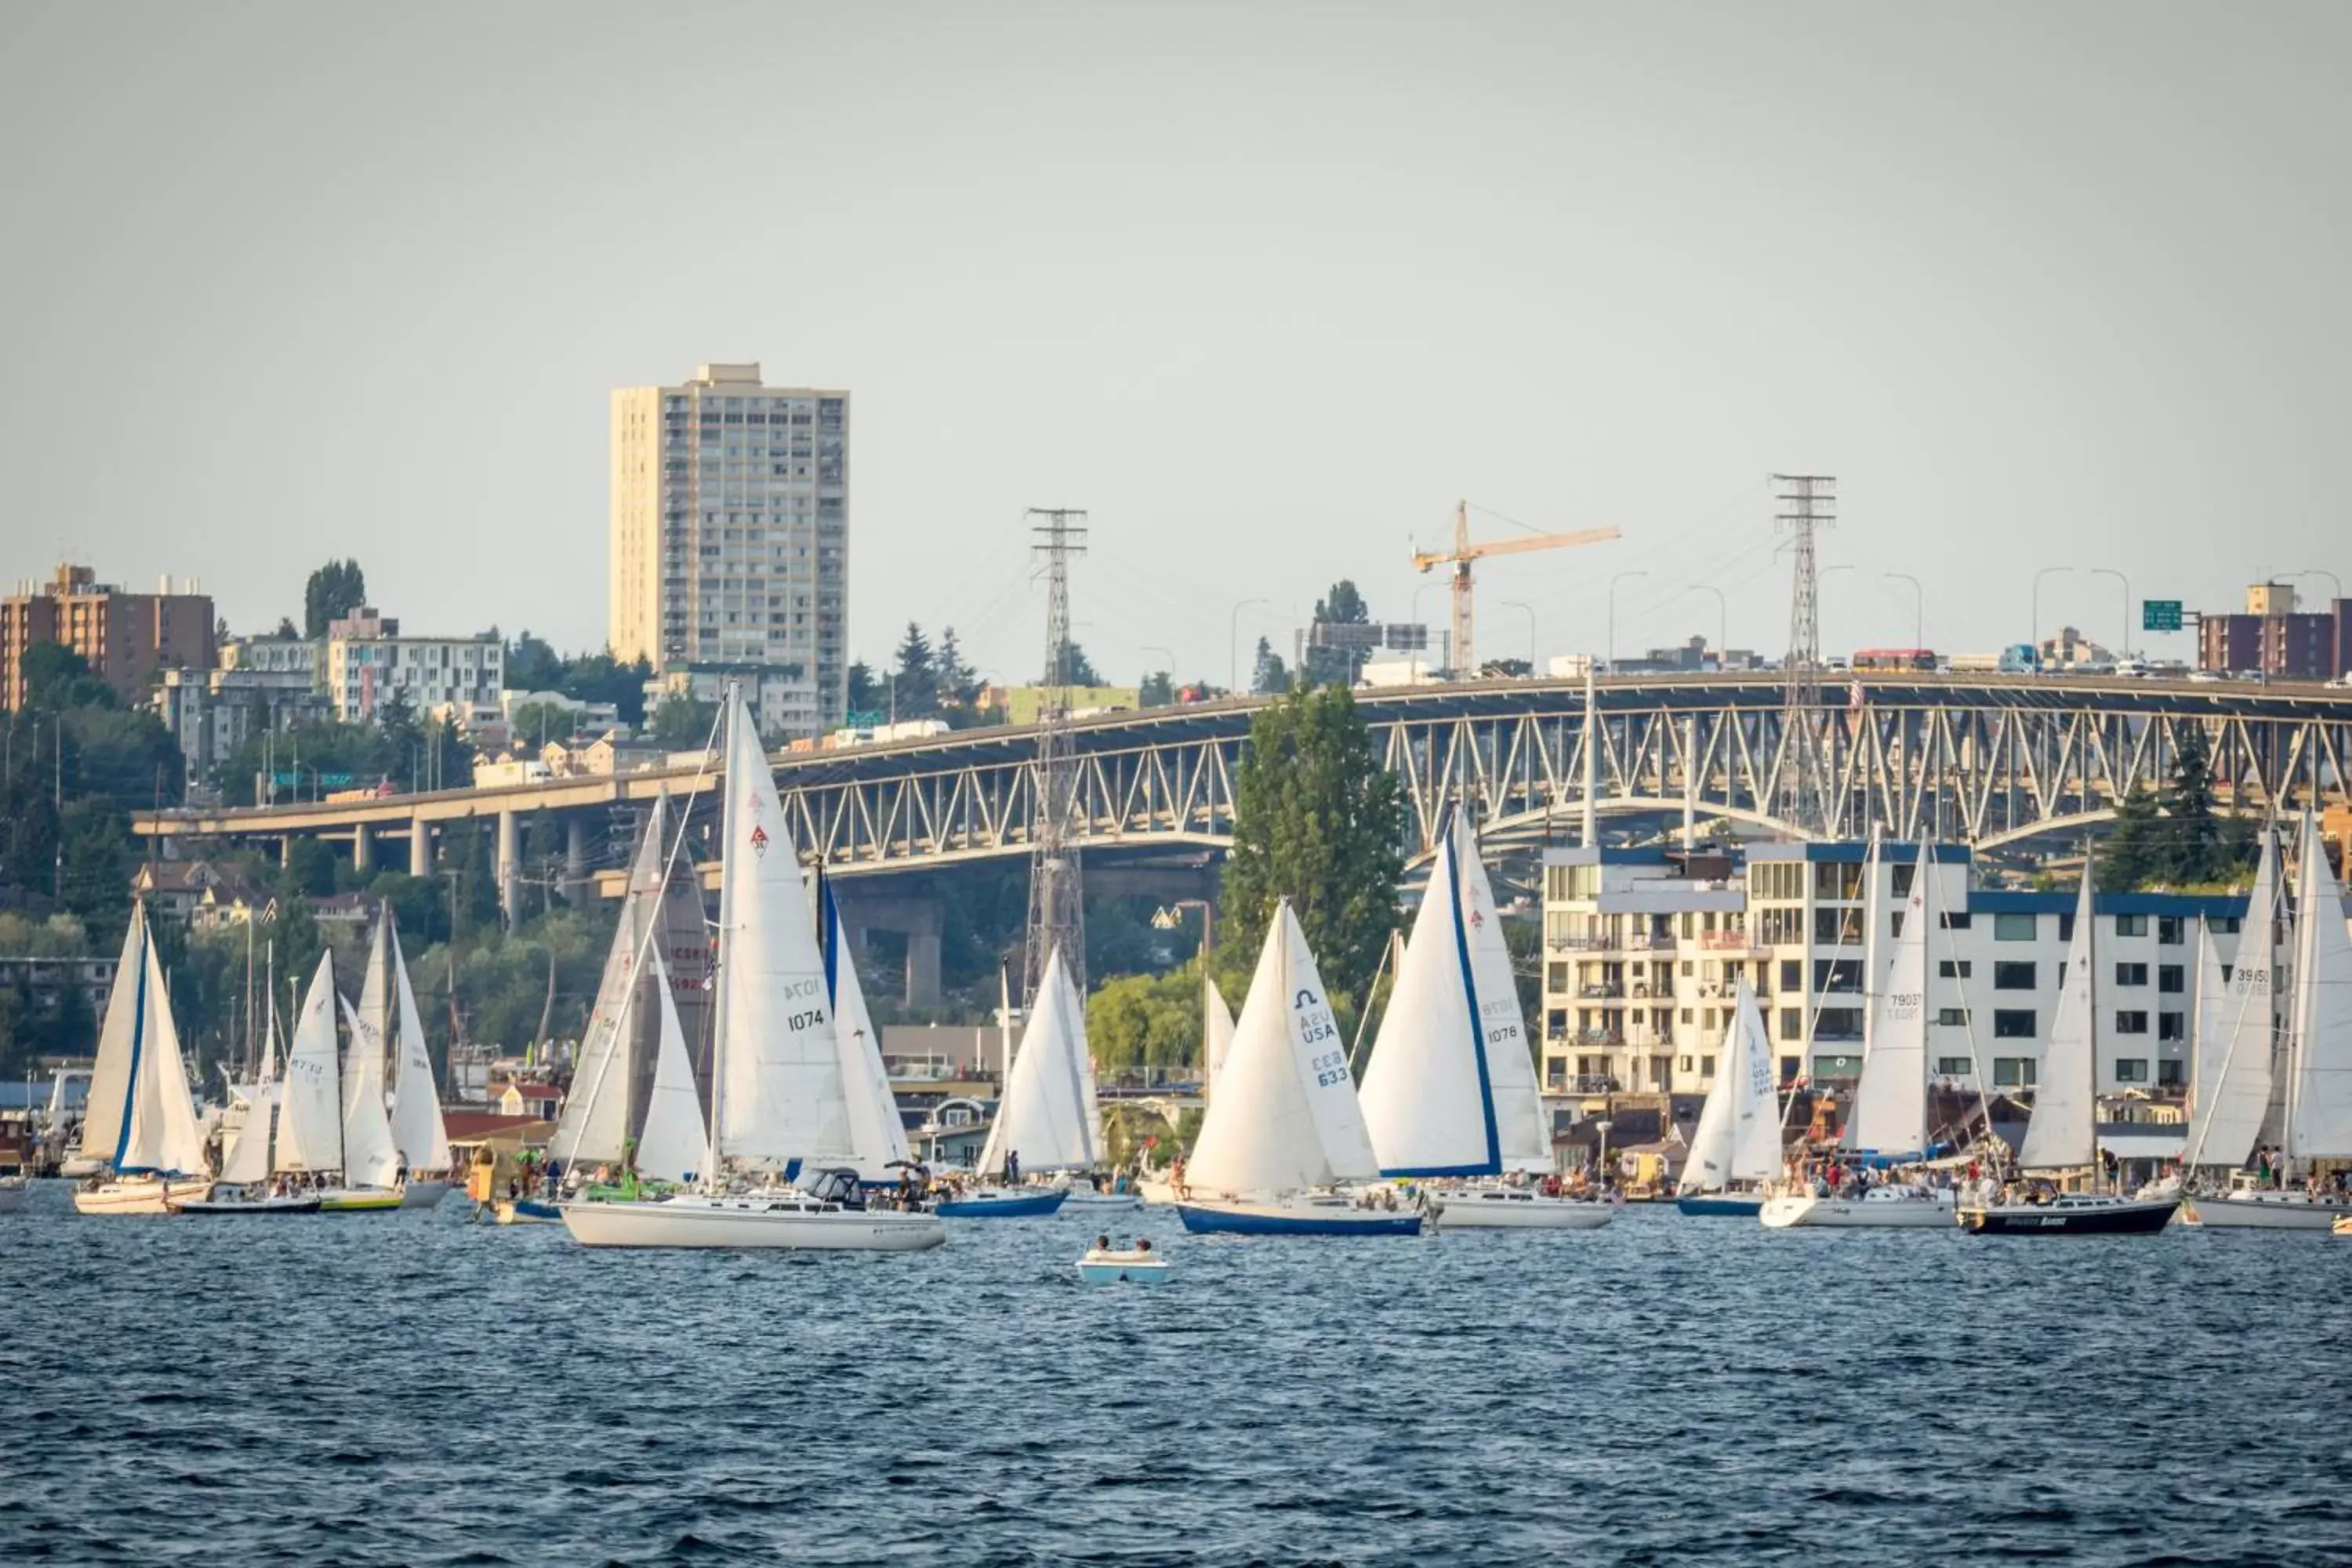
(1057, 911)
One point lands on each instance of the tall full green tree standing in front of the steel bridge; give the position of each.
(1321, 822)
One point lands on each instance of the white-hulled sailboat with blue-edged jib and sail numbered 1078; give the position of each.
(1450, 1094)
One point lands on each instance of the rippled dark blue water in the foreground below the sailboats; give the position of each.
(422, 1391)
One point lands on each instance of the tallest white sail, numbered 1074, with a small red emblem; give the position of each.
(780, 1083)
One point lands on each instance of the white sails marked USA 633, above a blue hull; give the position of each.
(1285, 1115)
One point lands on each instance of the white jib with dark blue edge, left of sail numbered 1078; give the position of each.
(1426, 1099)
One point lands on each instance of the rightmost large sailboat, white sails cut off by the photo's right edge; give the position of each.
(2313, 1076)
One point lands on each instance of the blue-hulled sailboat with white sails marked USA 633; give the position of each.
(1285, 1127)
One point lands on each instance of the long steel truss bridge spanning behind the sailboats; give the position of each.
(1984, 760)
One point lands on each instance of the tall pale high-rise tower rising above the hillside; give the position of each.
(730, 537)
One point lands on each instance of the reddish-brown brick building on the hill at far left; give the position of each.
(128, 638)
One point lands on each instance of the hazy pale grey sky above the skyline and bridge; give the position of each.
(1267, 288)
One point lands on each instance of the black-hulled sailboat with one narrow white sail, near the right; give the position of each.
(2064, 1127)
